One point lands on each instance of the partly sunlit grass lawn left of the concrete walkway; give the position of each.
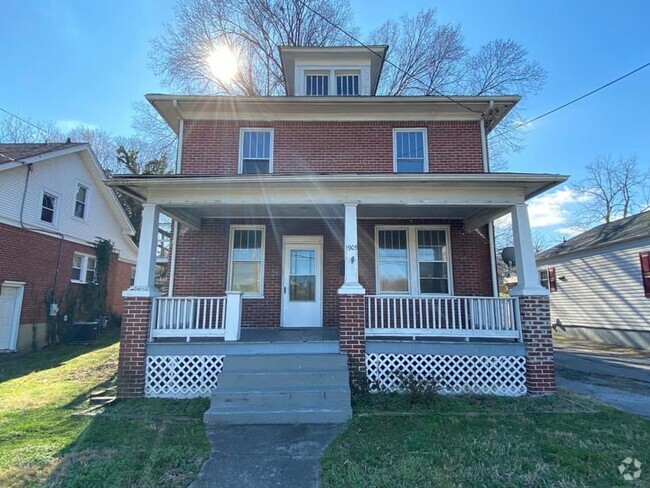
(135, 443)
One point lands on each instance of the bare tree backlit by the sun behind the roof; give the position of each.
(254, 28)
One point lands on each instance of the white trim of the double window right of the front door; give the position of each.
(412, 258)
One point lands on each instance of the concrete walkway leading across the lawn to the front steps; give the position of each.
(265, 456)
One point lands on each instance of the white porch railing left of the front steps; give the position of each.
(193, 317)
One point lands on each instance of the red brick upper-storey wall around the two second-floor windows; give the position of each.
(212, 147)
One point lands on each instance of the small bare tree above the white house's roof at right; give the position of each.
(613, 189)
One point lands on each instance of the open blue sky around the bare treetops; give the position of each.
(76, 61)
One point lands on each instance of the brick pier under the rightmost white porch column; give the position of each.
(536, 332)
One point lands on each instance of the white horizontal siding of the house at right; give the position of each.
(602, 292)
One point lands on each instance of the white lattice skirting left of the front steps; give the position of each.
(182, 376)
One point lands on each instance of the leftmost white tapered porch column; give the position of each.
(144, 283)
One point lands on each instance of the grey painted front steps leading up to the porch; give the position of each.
(287, 389)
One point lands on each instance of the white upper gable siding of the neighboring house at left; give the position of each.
(60, 175)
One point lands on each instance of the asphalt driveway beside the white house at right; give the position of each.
(617, 376)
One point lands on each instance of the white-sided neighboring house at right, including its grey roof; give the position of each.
(600, 283)
